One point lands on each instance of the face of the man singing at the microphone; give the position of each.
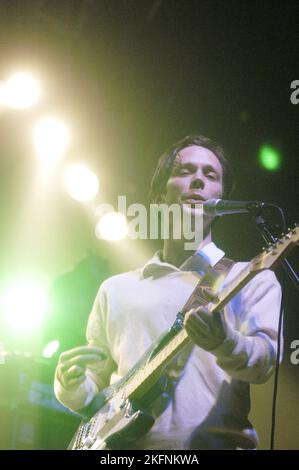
(197, 175)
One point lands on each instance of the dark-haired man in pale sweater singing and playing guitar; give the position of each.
(208, 393)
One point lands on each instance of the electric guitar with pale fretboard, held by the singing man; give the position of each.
(118, 415)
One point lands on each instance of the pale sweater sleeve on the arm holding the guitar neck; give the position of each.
(249, 350)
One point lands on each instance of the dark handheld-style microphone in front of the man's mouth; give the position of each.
(219, 207)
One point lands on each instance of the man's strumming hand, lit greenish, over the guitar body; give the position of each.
(71, 368)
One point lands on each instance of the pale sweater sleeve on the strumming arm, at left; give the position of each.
(98, 375)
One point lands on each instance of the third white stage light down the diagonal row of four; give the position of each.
(81, 183)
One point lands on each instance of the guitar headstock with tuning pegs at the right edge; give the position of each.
(272, 254)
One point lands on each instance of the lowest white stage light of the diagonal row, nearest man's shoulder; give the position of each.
(112, 227)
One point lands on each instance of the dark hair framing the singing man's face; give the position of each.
(166, 161)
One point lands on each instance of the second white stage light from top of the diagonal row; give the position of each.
(51, 138)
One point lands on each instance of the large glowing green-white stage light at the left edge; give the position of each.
(24, 305)
